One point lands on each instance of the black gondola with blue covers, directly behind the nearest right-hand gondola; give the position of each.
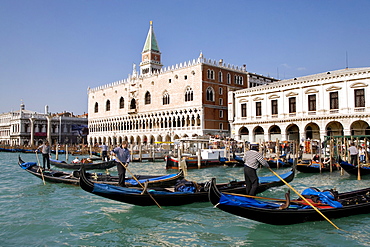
(183, 193)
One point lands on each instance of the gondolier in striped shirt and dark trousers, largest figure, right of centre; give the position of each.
(252, 159)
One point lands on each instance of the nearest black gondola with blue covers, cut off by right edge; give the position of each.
(282, 212)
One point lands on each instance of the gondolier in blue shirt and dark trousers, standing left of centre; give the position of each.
(123, 155)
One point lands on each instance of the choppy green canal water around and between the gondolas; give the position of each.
(33, 214)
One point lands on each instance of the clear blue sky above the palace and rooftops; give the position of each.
(52, 51)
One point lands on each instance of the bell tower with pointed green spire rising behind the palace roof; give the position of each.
(150, 56)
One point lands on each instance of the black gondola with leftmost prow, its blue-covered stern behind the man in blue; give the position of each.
(73, 178)
